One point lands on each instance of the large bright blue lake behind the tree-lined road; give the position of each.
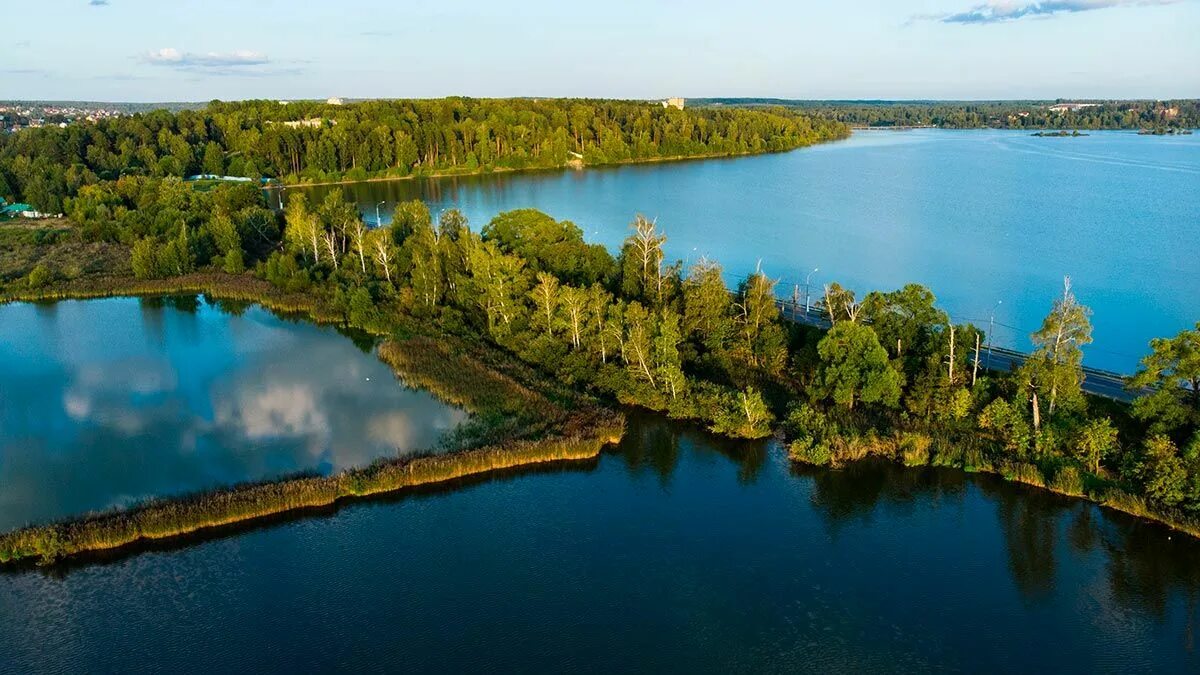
(979, 217)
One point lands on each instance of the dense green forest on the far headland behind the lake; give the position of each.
(311, 141)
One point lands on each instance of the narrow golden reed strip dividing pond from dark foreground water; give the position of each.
(587, 435)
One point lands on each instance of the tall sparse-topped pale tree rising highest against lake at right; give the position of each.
(1055, 371)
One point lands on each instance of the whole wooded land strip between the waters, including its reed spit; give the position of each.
(574, 324)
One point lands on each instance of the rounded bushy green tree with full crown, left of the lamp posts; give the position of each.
(855, 368)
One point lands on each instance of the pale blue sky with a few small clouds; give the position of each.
(196, 51)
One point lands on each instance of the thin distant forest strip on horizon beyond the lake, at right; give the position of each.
(995, 115)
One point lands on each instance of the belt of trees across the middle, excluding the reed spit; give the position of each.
(893, 377)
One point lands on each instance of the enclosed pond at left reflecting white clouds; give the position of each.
(106, 403)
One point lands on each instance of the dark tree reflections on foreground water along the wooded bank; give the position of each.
(1049, 542)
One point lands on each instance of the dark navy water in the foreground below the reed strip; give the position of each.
(673, 553)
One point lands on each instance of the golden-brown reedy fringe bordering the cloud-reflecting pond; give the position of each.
(539, 431)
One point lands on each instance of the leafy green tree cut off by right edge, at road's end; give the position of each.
(1172, 373)
